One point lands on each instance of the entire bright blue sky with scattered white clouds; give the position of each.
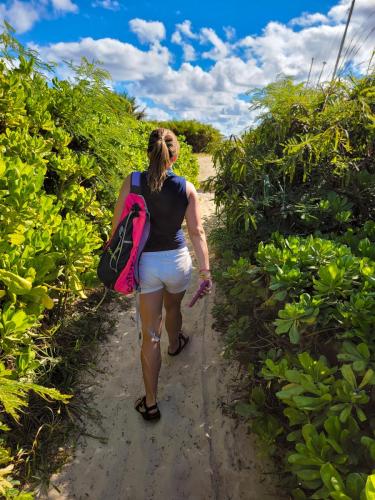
(196, 59)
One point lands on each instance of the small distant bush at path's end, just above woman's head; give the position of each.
(202, 137)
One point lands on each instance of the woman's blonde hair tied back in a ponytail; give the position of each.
(162, 147)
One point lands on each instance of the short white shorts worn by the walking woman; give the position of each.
(170, 269)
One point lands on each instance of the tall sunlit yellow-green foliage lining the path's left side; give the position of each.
(65, 147)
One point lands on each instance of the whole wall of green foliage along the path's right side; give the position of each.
(295, 197)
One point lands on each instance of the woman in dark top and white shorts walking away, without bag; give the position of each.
(165, 265)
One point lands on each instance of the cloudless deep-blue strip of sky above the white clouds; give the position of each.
(246, 17)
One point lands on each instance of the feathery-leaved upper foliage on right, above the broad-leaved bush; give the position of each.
(308, 166)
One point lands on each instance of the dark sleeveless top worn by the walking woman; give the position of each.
(167, 211)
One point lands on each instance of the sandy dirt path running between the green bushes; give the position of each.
(195, 451)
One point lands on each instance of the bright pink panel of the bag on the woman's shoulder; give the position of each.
(125, 282)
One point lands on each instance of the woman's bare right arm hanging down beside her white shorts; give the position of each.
(195, 227)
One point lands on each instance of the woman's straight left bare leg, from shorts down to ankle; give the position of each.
(150, 308)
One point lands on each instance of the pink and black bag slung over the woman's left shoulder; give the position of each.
(118, 267)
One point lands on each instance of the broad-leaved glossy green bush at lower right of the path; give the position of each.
(305, 315)
